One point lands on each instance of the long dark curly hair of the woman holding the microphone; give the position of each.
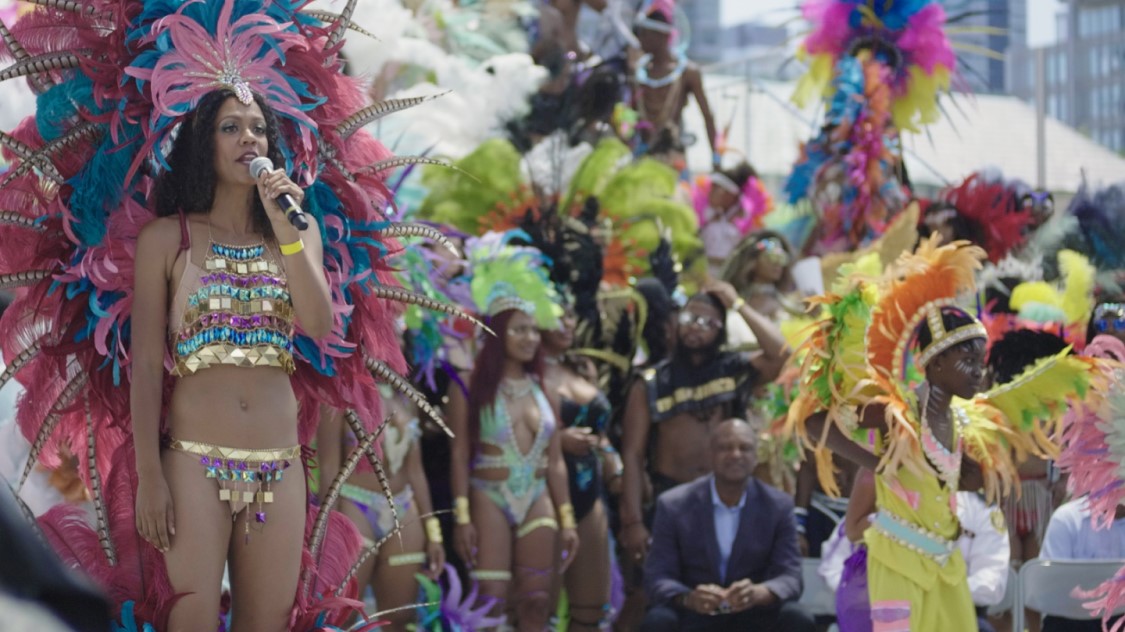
(188, 186)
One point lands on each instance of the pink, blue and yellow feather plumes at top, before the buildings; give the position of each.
(907, 38)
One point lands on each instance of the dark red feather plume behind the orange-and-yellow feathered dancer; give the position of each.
(992, 206)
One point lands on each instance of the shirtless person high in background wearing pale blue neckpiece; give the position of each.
(663, 82)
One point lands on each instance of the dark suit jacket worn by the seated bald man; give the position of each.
(686, 550)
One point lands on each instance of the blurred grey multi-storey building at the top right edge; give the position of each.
(1084, 73)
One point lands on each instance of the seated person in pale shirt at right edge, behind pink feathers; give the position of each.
(1072, 537)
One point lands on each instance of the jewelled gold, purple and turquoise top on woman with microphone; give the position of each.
(237, 312)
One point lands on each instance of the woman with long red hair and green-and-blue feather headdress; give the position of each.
(511, 504)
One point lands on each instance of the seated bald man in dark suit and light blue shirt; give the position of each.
(725, 554)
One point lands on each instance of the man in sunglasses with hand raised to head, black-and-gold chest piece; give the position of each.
(685, 398)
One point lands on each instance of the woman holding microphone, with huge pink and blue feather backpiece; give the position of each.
(188, 353)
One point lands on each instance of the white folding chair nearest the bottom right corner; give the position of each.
(1048, 586)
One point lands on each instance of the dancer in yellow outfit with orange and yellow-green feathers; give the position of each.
(860, 374)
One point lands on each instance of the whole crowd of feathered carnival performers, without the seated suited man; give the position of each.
(455, 411)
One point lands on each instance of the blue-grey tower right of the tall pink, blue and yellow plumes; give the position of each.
(1000, 26)
